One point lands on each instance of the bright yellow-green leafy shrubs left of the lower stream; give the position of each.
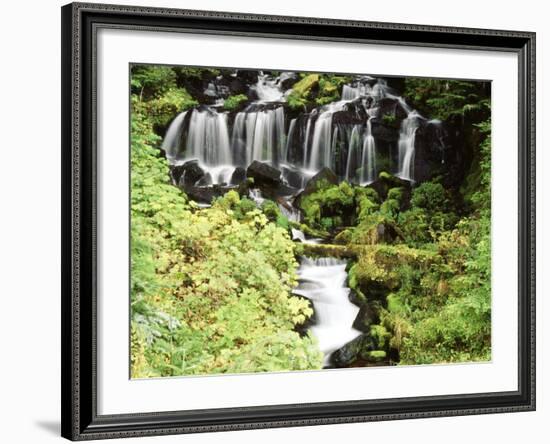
(210, 289)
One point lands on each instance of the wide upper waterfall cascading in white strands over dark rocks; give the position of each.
(338, 135)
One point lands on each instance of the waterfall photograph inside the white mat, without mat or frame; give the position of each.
(305, 221)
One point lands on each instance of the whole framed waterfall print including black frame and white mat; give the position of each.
(280, 221)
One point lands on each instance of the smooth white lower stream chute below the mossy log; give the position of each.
(322, 281)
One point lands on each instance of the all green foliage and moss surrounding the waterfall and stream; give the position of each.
(211, 288)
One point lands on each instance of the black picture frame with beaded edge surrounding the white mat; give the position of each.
(80, 420)
